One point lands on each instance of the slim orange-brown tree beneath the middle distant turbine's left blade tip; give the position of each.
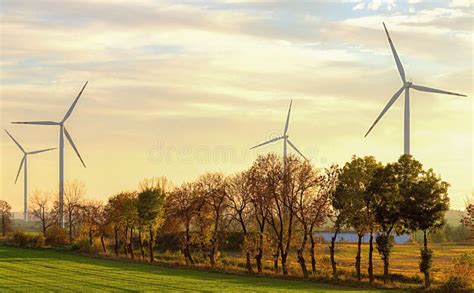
(239, 203)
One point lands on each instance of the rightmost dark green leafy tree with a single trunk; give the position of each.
(424, 209)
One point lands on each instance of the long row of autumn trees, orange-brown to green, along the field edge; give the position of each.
(276, 205)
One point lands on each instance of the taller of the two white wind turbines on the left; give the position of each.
(62, 131)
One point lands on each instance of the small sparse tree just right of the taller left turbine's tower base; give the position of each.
(73, 196)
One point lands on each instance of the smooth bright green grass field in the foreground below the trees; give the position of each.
(26, 270)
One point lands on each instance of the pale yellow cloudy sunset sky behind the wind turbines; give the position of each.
(178, 89)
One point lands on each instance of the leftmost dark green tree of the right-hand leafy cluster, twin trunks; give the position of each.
(354, 181)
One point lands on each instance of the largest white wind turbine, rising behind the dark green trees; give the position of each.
(406, 86)
